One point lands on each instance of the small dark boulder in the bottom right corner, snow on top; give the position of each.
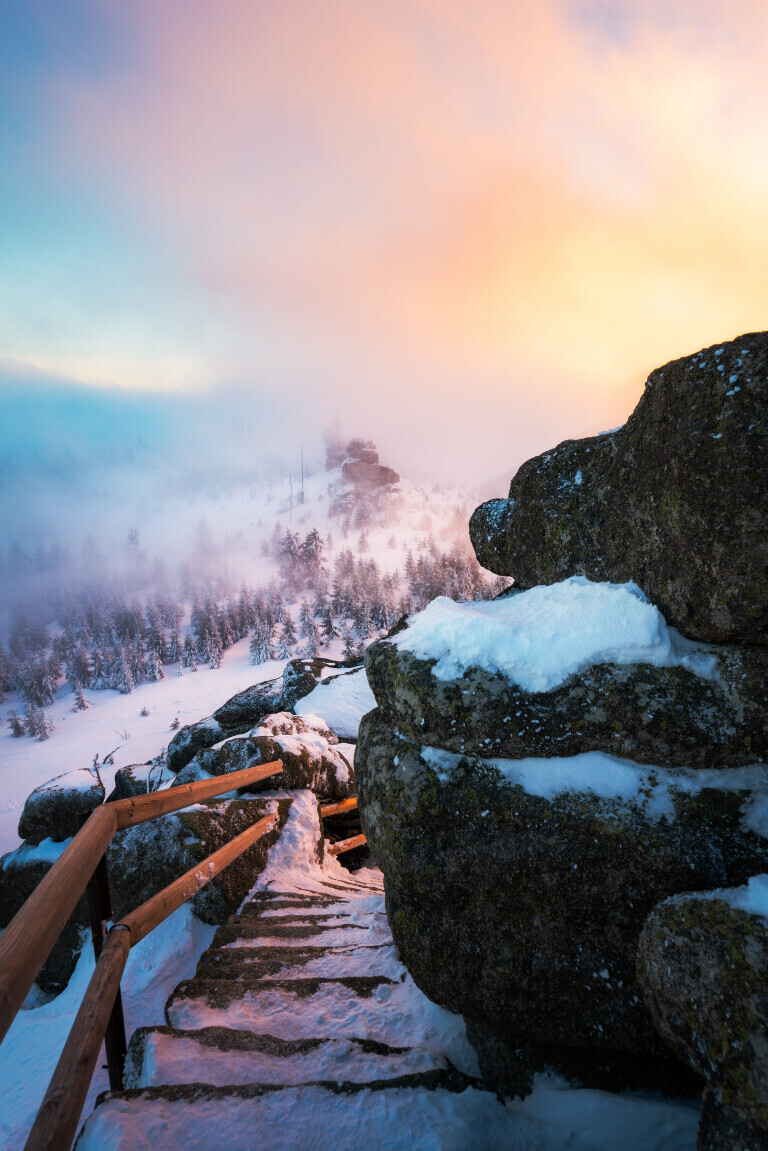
(703, 966)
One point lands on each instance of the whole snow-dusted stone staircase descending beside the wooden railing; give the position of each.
(300, 1030)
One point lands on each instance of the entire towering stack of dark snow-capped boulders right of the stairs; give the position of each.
(559, 784)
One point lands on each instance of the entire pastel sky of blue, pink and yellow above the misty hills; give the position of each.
(469, 231)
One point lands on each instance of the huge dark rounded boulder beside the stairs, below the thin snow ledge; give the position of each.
(524, 913)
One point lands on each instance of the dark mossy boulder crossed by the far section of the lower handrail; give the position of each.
(143, 860)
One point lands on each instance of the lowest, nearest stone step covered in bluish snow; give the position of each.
(416, 1111)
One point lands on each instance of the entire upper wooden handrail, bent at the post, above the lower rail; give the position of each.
(27, 942)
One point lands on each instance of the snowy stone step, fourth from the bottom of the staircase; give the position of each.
(294, 963)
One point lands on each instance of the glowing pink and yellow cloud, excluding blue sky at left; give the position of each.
(451, 193)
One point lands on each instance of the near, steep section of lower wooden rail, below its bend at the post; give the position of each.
(56, 1125)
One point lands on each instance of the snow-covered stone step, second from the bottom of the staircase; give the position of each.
(222, 1057)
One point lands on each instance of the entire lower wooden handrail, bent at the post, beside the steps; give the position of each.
(57, 1120)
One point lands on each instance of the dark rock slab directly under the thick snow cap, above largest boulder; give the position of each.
(653, 715)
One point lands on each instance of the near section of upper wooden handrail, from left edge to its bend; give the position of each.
(27, 942)
